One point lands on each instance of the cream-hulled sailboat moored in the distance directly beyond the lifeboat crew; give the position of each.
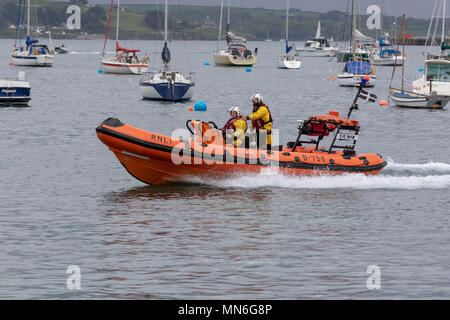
(237, 53)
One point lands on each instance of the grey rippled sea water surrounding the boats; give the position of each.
(65, 199)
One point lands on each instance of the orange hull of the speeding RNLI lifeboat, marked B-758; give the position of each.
(154, 159)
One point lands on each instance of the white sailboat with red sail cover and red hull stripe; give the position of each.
(125, 61)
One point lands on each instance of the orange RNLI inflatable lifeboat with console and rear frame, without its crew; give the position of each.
(156, 159)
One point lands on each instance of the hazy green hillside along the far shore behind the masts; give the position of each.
(146, 21)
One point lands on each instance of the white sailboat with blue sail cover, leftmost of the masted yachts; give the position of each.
(34, 54)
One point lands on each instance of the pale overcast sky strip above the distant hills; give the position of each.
(412, 8)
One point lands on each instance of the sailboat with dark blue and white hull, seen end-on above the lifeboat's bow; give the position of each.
(167, 85)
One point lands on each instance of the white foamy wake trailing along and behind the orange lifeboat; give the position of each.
(396, 176)
